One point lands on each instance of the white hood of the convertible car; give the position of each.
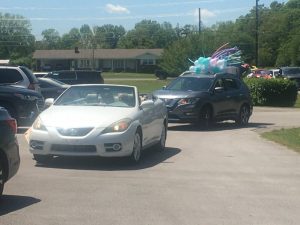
(83, 116)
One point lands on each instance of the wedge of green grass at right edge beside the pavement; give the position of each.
(287, 137)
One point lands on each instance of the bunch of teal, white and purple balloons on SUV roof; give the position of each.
(220, 60)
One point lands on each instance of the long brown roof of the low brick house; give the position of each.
(98, 53)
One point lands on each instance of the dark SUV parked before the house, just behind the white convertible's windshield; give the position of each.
(77, 76)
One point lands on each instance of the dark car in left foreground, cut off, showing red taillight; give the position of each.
(9, 148)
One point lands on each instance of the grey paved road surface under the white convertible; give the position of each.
(222, 176)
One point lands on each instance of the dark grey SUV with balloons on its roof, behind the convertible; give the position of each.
(202, 99)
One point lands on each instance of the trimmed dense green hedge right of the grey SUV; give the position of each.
(272, 92)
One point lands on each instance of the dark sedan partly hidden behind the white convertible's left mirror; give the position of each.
(51, 88)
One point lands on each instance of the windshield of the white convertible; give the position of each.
(115, 96)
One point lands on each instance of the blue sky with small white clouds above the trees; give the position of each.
(63, 15)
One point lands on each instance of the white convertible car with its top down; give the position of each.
(98, 120)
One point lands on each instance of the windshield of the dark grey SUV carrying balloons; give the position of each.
(190, 84)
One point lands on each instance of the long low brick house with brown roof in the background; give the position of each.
(127, 60)
